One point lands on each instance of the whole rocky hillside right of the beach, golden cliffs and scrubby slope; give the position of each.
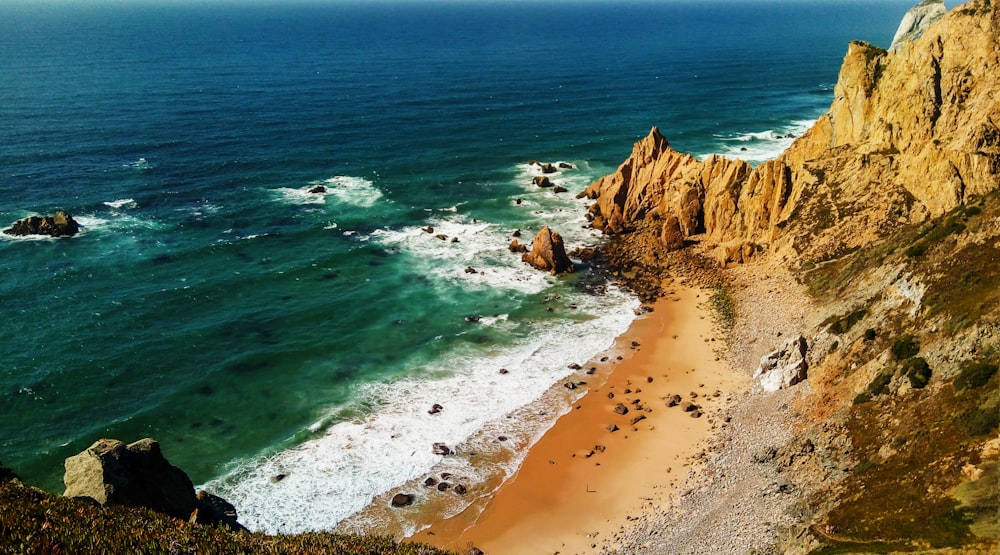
(885, 218)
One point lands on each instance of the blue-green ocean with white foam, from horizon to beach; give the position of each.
(285, 346)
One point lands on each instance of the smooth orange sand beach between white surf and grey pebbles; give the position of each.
(583, 480)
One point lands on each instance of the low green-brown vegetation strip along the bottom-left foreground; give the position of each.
(32, 521)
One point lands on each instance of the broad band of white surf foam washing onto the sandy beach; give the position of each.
(330, 477)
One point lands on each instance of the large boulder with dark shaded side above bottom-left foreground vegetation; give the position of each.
(113, 473)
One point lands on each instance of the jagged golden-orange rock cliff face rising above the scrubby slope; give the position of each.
(910, 134)
